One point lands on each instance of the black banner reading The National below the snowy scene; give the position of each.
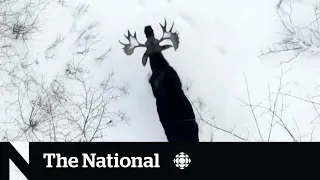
(61, 161)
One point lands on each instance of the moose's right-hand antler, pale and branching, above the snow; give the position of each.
(173, 36)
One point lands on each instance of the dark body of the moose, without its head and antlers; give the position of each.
(174, 109)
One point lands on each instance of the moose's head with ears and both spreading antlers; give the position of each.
(152, 44)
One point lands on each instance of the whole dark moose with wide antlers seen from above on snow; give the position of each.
(174, 109)
